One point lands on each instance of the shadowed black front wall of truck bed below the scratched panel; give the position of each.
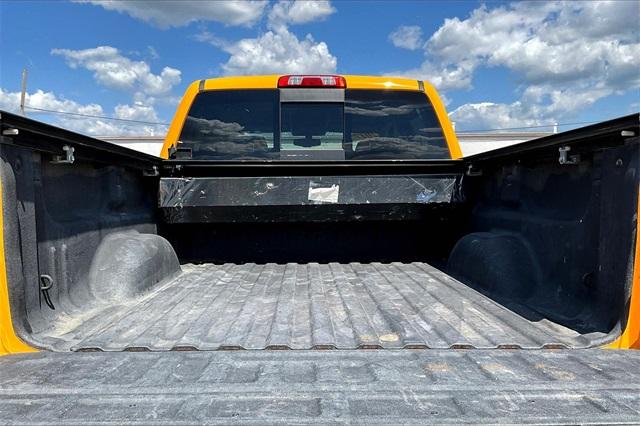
(428, 239)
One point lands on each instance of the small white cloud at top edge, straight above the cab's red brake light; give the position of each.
(299, 12)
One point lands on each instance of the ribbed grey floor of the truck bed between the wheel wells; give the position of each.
(307, 306)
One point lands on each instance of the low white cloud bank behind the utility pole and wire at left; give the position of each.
(10, 101)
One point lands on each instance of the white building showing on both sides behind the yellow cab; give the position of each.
(471, 143)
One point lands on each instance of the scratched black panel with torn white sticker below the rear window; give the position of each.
(297, 190)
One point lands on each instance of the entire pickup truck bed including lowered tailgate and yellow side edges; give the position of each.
(471, 290)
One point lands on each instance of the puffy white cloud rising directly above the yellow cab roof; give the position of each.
(278, 52)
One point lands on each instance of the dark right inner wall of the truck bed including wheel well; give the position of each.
(558, 238)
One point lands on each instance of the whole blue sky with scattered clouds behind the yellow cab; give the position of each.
(497, 64)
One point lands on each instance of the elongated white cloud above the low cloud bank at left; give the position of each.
(113, 70)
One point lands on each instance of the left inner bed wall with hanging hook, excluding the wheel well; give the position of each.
(55, 218)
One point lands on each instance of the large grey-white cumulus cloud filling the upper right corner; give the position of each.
(551, 41)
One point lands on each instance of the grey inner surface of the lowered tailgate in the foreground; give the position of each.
(322, 387)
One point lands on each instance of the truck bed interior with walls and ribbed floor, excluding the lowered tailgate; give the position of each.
(119, 251)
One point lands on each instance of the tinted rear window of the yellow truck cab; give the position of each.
(369, 125)
